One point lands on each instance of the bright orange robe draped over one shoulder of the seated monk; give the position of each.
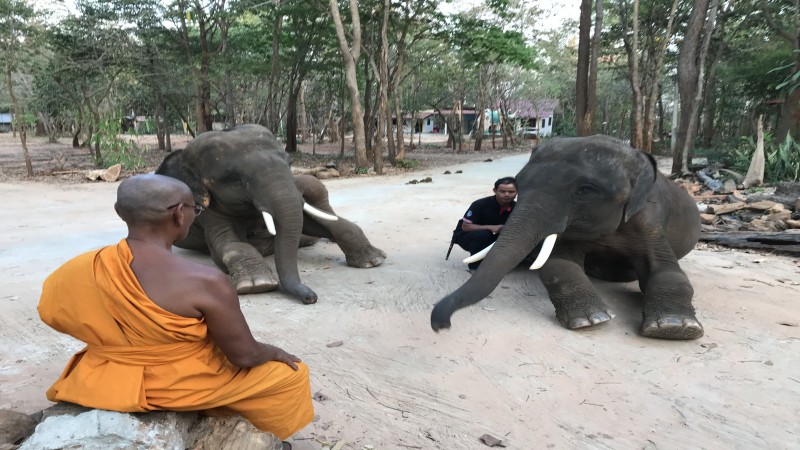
(140, 357)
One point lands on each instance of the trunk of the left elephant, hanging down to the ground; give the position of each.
(283, 203)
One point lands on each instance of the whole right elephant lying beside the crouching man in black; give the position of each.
(597, 207)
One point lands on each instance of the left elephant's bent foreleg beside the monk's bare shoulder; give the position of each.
(243, 262)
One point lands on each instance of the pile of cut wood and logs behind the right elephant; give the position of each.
(766, 218)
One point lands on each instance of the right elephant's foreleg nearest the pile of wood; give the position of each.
(668, 312)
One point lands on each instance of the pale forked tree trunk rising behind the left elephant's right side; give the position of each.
(350, 58)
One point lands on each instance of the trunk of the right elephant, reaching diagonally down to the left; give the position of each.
(518, 239)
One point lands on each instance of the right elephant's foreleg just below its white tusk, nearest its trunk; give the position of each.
(576, 302)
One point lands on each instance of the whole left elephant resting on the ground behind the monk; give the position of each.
(255, 207)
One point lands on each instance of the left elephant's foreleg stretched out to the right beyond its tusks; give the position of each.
(358, 251)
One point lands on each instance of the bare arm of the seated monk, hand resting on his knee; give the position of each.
(229, 330)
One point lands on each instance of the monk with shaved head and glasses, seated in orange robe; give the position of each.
(165, 333)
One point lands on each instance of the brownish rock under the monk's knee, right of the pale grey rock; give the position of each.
(214, 433)
